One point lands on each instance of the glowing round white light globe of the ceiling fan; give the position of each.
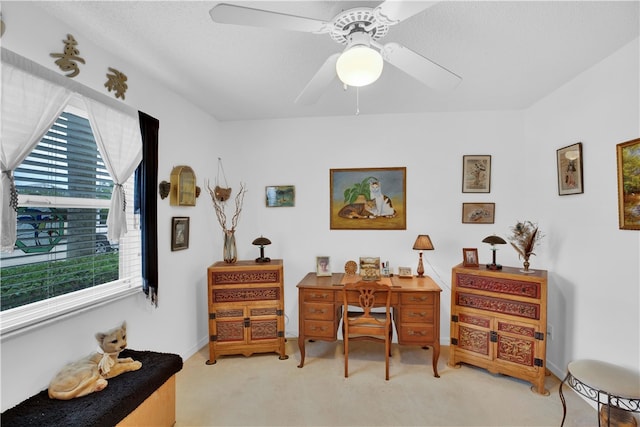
(359, 66)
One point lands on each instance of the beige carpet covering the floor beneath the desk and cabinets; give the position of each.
(262, 390)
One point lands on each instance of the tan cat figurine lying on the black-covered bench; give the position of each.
(90, 374)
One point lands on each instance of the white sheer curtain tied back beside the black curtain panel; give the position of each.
(120, 143)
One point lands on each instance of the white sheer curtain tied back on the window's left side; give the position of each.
(30, 105)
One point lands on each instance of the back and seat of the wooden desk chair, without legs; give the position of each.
(367, 295)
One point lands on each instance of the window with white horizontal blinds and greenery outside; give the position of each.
(62, 258)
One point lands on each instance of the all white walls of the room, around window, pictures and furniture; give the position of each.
(593, 293)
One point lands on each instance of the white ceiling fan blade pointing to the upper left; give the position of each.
(224, 13)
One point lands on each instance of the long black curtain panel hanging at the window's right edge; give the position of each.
(146, 184)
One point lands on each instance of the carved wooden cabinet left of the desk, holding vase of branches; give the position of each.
(246, 308)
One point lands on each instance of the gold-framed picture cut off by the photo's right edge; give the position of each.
(628, 155)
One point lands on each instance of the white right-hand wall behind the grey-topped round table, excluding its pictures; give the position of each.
(594, 266)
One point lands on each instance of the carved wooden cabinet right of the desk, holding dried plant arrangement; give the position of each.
(499, 322)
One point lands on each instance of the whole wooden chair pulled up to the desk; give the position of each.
(365, 324)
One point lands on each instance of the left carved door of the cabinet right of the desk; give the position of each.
(474, 335)
